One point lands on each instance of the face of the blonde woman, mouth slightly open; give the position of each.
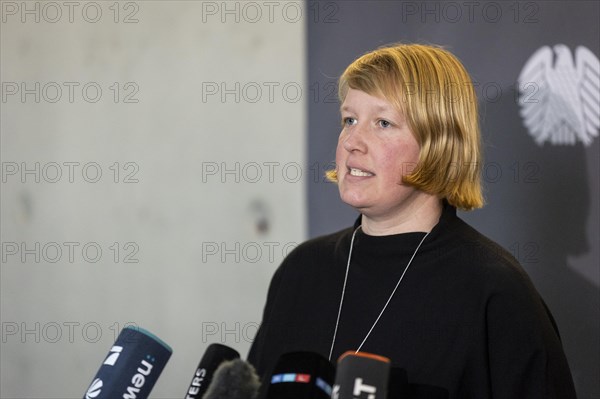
(375, 148)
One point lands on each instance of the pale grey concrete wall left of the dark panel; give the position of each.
(198, 198)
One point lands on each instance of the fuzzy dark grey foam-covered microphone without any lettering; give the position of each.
(234, 379)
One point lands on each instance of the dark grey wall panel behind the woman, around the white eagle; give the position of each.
(543, 201)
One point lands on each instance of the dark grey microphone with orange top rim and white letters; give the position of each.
(361, 375)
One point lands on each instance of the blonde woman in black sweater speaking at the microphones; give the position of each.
(410, 280)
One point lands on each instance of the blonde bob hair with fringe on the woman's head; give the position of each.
(432, 89)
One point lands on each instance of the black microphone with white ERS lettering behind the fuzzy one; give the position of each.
(215, 355)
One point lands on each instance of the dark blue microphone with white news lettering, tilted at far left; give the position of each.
(132, 366)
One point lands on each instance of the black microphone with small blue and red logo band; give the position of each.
(301, 375)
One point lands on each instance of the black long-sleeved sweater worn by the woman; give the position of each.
(466, 318)
